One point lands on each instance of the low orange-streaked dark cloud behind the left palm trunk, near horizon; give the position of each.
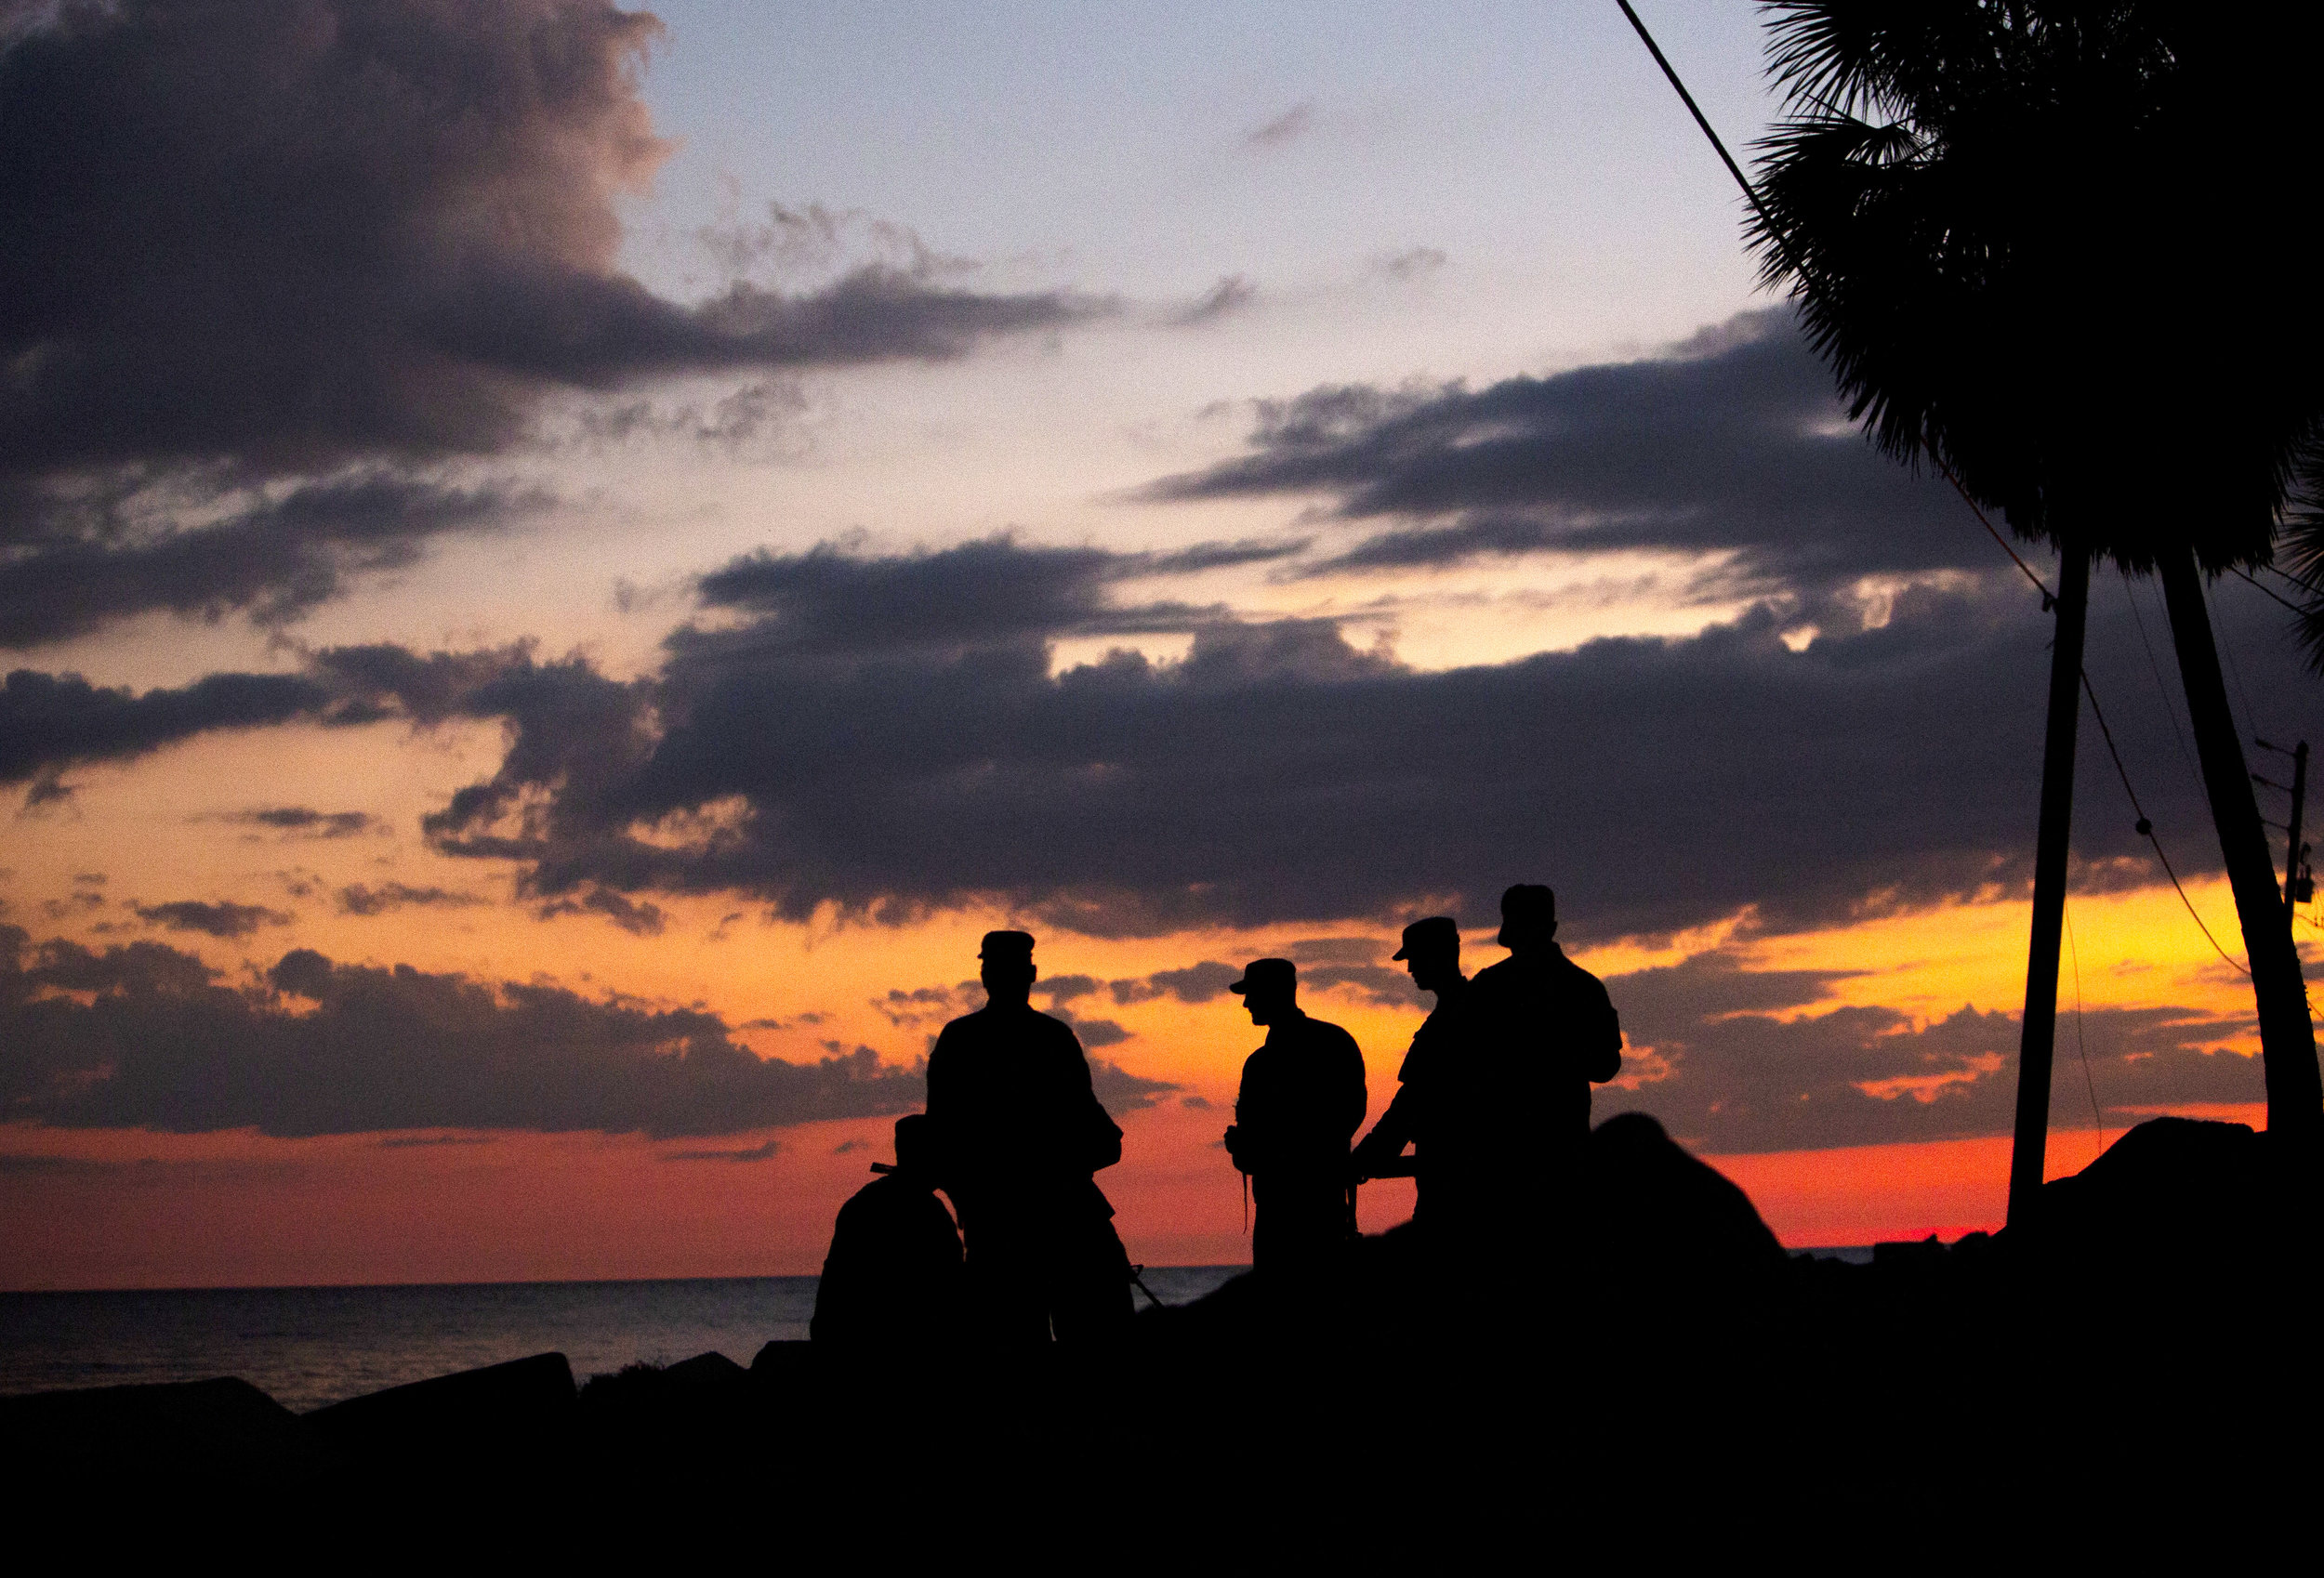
(1744, 1061)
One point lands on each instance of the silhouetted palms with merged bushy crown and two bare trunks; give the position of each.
(2032, 243)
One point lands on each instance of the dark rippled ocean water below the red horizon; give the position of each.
(310, 1347)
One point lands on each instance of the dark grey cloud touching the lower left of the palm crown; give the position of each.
(1733, 445)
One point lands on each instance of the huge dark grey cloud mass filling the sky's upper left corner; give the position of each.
(289, 238)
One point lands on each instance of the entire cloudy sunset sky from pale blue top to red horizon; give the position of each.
(561, 566)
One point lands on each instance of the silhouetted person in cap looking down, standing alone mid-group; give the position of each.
(1300, 1105)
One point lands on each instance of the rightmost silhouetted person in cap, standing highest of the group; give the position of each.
(1540, 1033)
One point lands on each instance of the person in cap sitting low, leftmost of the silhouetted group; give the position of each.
(894, 1275)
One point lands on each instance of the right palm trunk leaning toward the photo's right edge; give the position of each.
(2288, 1040)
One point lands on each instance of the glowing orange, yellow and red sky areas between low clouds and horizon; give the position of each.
(162, 1210)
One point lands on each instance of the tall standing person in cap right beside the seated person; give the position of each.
(1021, 1133)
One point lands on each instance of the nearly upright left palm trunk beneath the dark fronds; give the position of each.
(2037, 1033)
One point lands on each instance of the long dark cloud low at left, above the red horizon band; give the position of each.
(150, 1038)
